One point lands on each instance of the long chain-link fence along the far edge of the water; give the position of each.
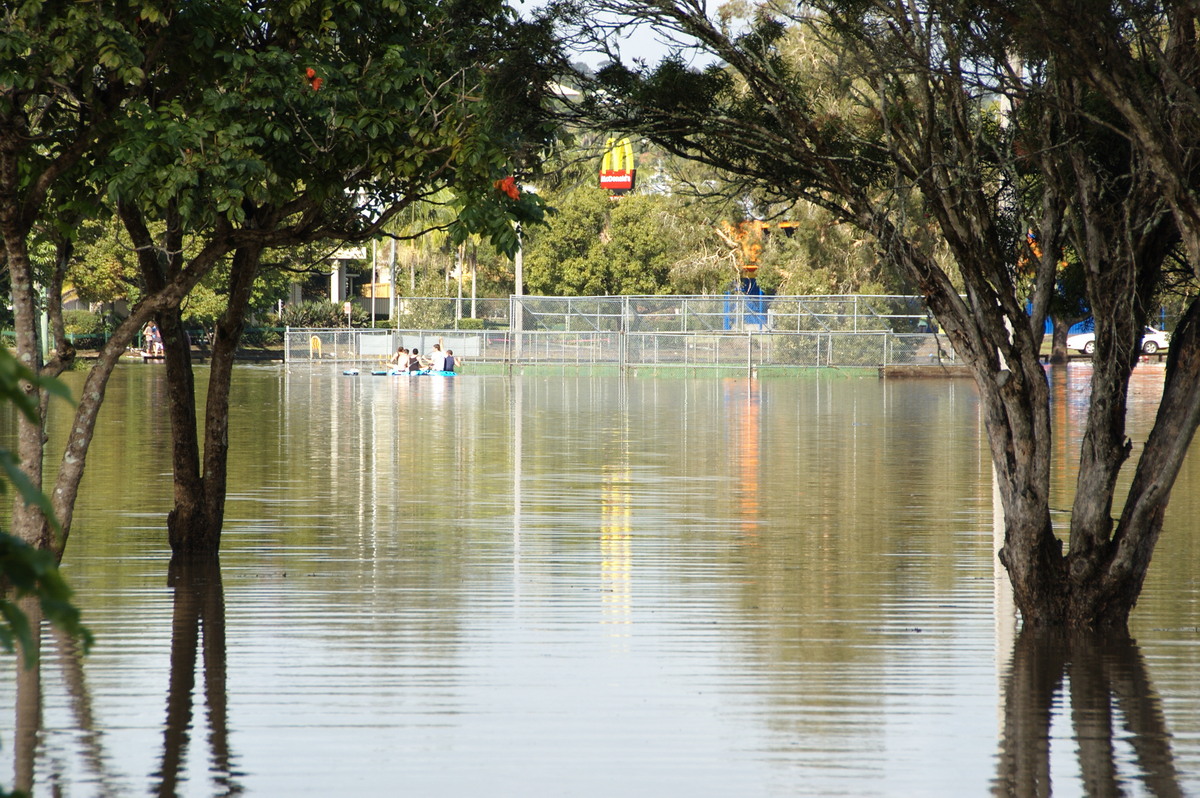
(736, 332)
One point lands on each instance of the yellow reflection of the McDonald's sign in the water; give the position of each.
(616, 542)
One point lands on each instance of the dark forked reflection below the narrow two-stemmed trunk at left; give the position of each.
(199, 611)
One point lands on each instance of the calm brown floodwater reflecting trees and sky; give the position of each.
(575, 586)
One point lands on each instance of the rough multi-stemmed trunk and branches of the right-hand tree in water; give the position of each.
(1123, 232)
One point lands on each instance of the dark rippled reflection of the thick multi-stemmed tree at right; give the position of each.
(1106, 680)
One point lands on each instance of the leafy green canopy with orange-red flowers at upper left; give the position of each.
(303, 122)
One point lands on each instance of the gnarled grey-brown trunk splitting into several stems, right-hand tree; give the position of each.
(1097, 581)
